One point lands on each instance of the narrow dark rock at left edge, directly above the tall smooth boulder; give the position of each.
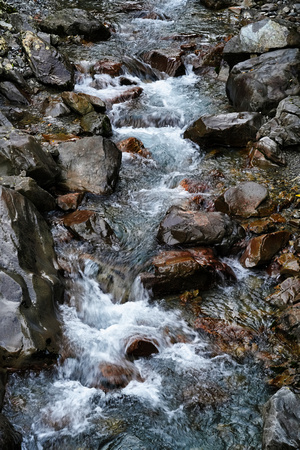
(26, 186)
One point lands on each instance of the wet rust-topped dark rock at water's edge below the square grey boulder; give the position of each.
(88, 225)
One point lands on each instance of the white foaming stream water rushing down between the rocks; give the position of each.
(187, 396)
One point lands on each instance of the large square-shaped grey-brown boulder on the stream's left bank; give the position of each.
(89, 164)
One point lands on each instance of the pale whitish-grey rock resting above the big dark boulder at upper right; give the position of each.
(260, 37)
